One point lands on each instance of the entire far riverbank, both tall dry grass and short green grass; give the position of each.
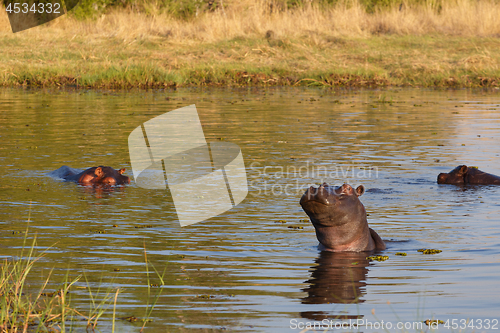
(454, 44)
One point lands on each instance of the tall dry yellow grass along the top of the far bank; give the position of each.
(254, 18)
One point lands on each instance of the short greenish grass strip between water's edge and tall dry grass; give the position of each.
(424, 61)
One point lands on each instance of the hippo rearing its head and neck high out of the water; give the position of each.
(340, 218)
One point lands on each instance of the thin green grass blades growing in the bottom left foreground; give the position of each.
(25, 310)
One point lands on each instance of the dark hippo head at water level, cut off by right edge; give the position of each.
(464, 175)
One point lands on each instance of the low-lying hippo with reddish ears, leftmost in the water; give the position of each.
(100, 175)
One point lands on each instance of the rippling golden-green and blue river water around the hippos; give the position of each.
(243, 271)
